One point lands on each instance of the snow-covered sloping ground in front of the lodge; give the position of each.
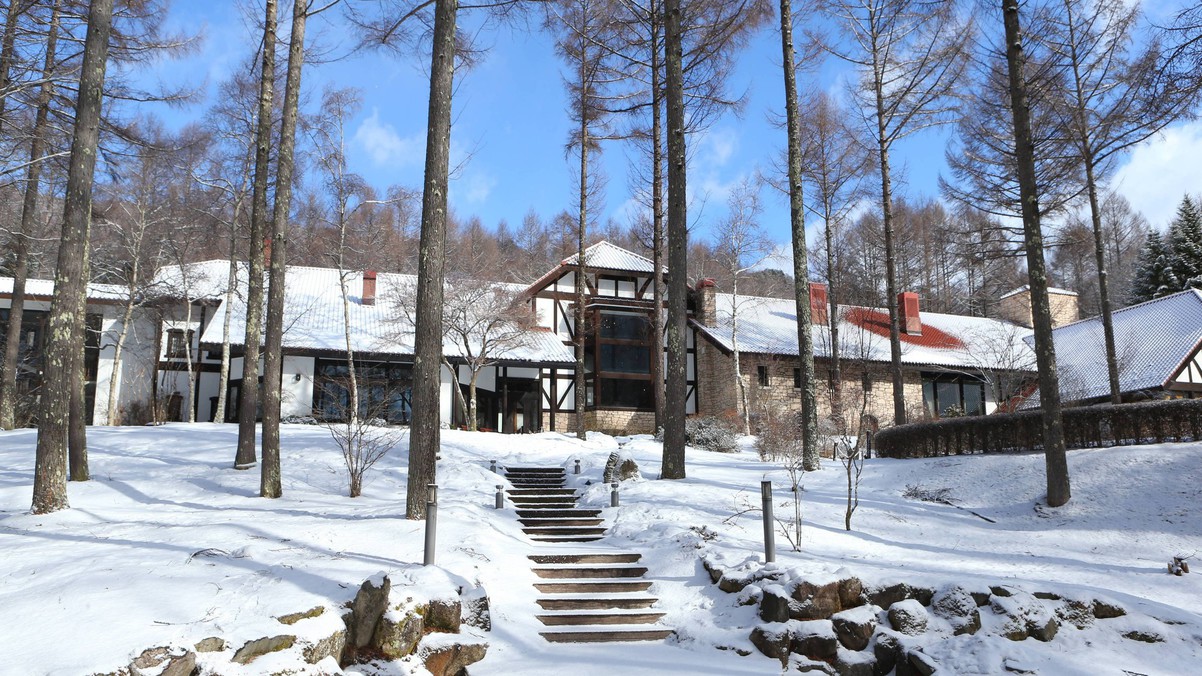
(170, 545)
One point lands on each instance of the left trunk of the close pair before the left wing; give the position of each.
(248, 406)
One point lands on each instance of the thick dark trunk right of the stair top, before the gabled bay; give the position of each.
(676, 394)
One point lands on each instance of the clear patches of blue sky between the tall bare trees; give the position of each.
(511, 123)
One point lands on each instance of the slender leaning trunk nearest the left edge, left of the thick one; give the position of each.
(21, 239)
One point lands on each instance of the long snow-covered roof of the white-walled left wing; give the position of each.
(314, 319)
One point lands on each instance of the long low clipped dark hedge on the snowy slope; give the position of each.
(1087, 428)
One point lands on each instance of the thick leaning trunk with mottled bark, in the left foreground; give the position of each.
(70, 281)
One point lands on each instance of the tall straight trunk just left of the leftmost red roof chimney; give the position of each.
(801, 264)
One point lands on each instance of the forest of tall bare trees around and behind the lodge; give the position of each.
(97, 188)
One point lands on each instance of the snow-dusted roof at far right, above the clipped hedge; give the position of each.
(1151, 340)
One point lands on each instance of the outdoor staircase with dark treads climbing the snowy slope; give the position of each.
(591, 596)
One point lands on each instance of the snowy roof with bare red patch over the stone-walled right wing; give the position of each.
(770, 327)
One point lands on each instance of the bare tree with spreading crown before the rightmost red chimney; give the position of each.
(911, 55)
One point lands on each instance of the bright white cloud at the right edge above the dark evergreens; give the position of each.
(1162, 171)
